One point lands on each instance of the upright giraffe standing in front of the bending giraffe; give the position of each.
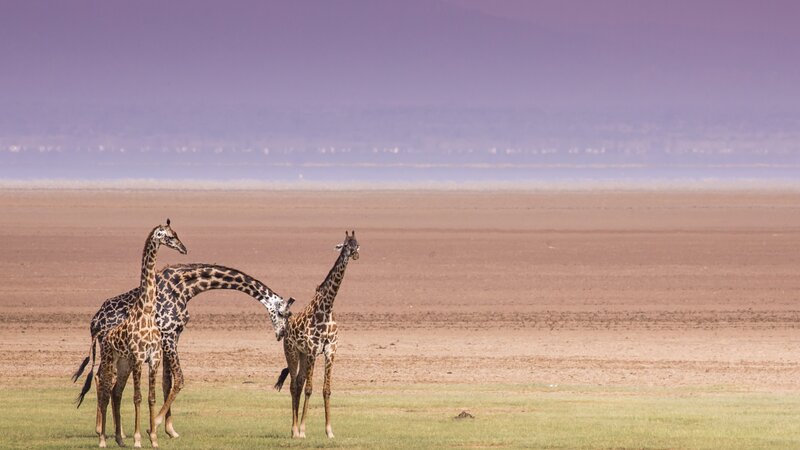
(135, 341)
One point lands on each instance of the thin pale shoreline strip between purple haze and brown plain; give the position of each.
(580, 185)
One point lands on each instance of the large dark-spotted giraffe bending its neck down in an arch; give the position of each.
(177, 284)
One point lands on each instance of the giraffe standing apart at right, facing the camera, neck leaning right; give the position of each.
(311, 333)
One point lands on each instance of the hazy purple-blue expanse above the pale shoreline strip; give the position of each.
(691, 83)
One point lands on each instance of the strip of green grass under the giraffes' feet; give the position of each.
(213, 416)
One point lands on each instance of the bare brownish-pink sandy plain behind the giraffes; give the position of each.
(569, 288)
